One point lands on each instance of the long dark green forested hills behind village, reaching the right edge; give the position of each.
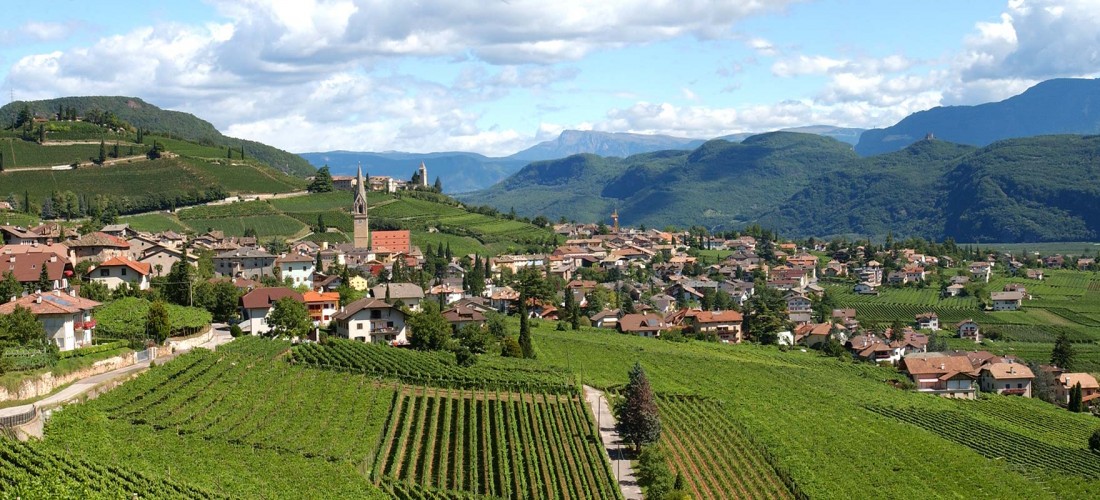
(1033, 190)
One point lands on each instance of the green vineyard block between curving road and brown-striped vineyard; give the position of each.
(241, 401)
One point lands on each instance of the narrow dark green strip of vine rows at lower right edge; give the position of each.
(999, 443)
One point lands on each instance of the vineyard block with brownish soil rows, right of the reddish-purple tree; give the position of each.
(719, 460)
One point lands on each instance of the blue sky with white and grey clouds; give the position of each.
(496, 77)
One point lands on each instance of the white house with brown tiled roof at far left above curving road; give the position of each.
(67, 319)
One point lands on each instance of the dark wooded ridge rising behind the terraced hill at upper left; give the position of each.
(150, 118)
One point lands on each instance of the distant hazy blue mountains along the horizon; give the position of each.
(461, 172)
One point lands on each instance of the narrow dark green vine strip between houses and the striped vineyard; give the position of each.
(426, 369)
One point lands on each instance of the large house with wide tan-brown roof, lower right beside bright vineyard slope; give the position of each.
(942, 375)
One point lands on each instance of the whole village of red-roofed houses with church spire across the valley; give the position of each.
(637, 282)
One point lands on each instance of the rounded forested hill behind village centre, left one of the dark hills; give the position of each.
(719, 185)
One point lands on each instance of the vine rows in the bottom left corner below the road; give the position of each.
(30, 472)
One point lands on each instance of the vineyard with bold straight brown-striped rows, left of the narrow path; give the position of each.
(511, 446)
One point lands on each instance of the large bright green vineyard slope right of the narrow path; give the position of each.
(805, 414)
